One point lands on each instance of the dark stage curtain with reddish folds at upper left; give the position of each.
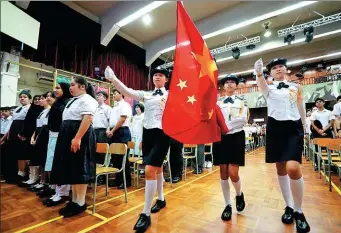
(71, 41)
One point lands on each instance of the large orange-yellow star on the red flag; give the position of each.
(207, 64)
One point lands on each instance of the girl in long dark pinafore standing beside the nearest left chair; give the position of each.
(74, 160)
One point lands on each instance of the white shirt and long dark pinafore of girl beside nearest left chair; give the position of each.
(80, 167)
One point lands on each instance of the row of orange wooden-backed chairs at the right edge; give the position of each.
(328, 153)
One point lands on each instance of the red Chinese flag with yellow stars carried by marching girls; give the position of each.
(190, 114)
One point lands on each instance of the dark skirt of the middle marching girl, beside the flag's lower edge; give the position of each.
(230, 150)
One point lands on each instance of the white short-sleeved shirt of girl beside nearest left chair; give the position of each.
(79, 106)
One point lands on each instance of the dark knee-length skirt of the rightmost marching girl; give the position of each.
(284, 141)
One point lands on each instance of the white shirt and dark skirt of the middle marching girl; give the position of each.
(231, 148)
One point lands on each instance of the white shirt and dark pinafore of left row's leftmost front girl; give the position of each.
(14, 144)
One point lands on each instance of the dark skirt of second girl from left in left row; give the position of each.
(40, 148)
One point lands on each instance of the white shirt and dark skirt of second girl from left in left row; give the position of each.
(42, 139)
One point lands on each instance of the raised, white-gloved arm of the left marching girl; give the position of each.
(110, 76)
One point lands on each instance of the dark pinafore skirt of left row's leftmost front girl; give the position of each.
(16, 147)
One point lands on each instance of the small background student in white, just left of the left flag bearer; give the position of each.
(137, 127)
